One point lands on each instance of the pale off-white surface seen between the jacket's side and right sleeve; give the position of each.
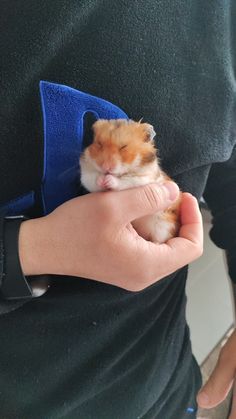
(209, 307)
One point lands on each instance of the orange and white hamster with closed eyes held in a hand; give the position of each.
(121, 156)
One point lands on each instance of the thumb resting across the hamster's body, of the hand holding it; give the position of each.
(136, 202)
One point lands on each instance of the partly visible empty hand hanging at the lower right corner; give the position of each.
(222, 379)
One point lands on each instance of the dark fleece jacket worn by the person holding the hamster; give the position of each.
(109, 353)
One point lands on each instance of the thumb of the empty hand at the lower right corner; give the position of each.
(217, 387)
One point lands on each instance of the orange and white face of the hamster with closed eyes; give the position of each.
(121, 146)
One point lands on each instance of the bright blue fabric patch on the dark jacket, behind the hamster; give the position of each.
(64, 110)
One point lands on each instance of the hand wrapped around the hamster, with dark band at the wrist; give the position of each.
(92, 237)
